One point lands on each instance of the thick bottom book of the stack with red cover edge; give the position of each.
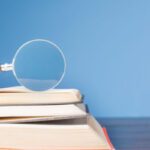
(80, 134)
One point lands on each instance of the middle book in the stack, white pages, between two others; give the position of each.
(31, 113)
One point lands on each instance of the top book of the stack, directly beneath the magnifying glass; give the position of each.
(20, 96)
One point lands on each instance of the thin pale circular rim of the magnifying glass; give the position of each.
(36, 40)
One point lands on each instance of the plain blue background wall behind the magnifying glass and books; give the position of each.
(106, 44)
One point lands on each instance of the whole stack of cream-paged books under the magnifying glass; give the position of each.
(55, 119)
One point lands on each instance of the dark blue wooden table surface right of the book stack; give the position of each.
(128, 133)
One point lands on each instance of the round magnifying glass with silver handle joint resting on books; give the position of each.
(38, 65)
